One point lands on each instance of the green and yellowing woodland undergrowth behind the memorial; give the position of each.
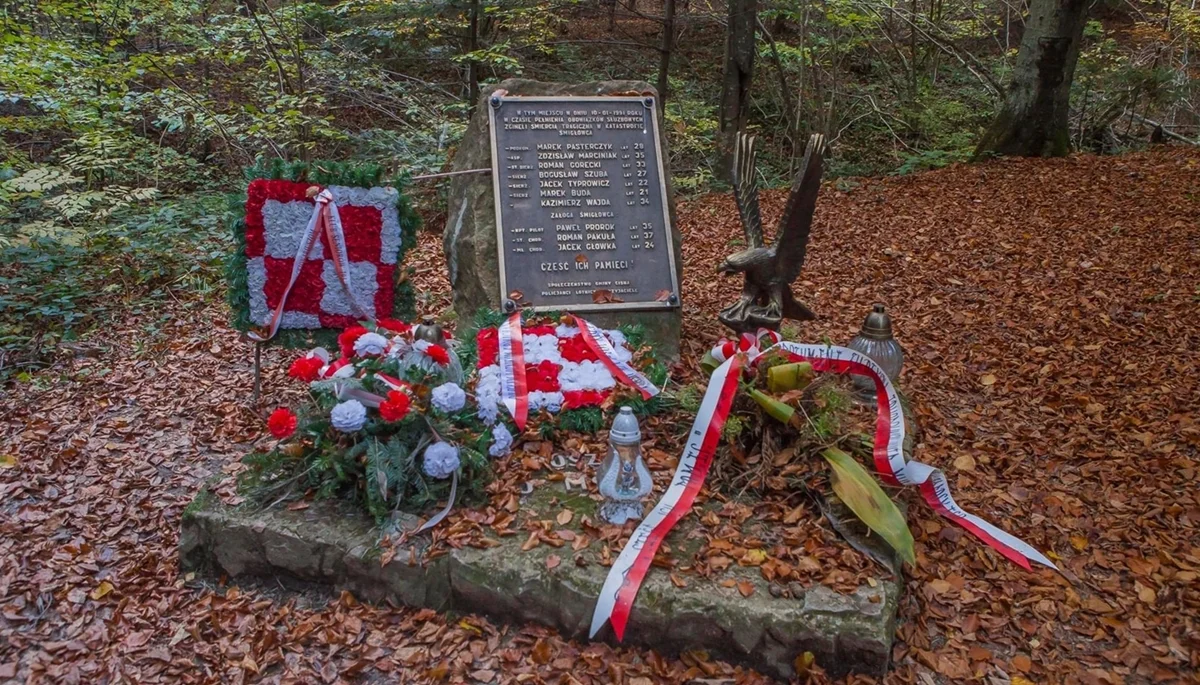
(123, 122)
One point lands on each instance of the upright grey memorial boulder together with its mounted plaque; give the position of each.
(586, 217)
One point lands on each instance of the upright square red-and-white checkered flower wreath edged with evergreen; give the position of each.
(357, 236)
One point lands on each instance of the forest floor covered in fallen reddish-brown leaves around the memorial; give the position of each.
(1049, 310)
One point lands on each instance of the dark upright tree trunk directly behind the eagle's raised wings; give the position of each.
(740, 51)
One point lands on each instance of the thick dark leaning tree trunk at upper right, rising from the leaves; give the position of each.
(1033, 122)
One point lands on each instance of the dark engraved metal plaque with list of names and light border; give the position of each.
(581, 205)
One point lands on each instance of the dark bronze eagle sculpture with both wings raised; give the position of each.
(767, 292)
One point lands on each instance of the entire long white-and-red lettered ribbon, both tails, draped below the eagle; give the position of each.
(629, 570)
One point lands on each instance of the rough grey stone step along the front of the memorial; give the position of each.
(332, 544)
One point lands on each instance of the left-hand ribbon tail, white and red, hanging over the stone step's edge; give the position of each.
(629, 570)
